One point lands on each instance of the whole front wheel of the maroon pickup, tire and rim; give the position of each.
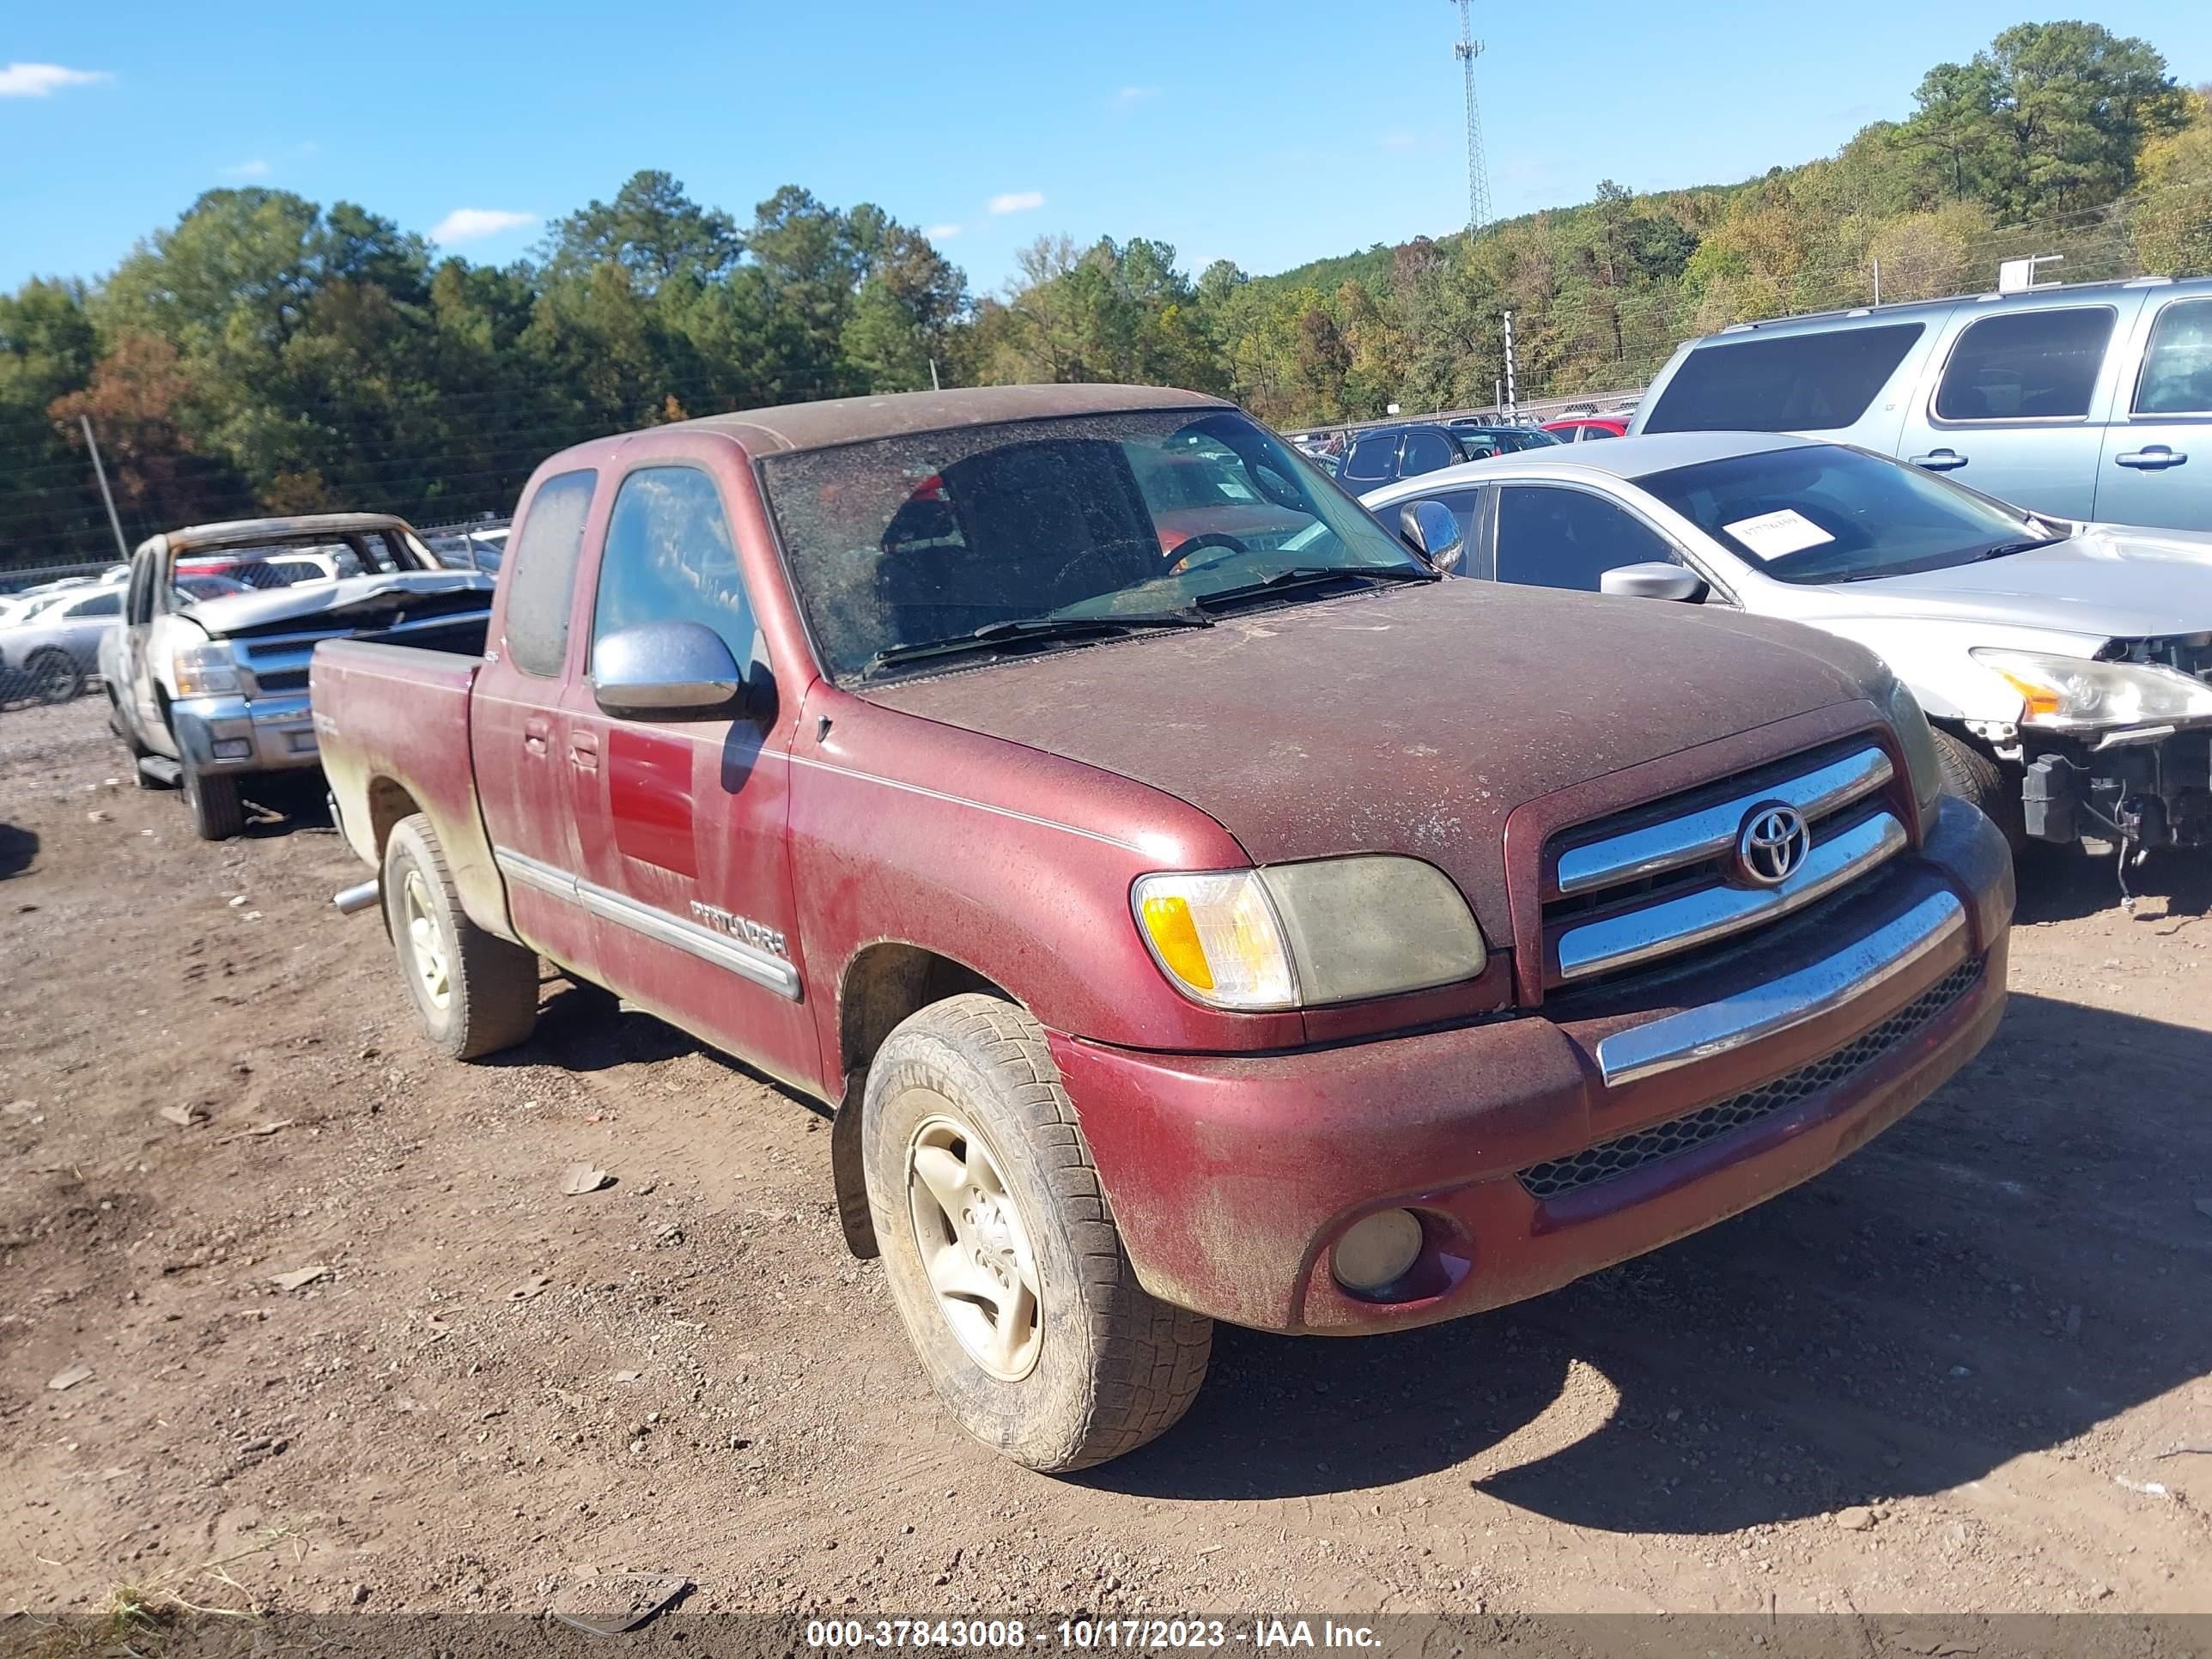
(1001, 1253)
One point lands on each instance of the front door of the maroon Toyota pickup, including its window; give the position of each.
(685, 857)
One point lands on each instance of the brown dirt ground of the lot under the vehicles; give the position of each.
(1968, 1370)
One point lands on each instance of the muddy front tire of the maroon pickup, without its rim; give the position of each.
(1114, 1368)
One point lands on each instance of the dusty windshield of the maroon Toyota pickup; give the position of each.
(932, 536)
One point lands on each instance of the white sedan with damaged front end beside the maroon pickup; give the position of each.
(2067, 667)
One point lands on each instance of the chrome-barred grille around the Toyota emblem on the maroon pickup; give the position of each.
(1658, 884)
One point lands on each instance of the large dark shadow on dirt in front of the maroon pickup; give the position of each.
(2005, 1269)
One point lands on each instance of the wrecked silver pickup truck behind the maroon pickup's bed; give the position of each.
(209, 671)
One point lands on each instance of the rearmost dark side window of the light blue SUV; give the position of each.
(1817, 382)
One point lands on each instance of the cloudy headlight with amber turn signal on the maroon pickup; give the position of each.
(1335, 930)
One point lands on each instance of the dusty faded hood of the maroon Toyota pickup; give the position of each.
(1410, 720)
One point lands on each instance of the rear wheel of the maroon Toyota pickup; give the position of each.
(490, 985)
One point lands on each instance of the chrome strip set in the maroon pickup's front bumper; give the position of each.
(1786, 1003)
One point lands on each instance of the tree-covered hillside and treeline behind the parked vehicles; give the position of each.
(273, 355)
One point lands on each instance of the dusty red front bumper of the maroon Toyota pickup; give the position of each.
(1233, 1176)
